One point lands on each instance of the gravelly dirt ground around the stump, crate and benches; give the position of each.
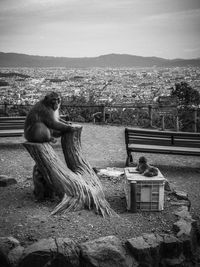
(28, 220)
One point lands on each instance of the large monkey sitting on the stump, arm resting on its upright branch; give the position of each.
(43, 123)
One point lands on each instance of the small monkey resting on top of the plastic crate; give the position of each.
(145, 169)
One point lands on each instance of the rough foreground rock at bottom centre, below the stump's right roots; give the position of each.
(105, 251)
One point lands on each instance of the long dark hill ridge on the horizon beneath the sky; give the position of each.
(110, 60)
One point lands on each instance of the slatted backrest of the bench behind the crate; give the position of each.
(164, 138)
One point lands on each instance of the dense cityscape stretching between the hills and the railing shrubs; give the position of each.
(24, 86)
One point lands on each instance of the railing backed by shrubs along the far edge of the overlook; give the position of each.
(141, 115)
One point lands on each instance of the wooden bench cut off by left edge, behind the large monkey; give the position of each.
(11, 126)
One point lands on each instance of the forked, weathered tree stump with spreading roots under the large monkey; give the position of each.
(75, 181)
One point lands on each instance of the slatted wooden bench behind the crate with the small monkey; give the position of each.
(163, 142)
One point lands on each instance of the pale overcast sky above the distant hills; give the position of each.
(87, 28)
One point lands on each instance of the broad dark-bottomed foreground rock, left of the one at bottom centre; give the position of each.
(55, 252)
